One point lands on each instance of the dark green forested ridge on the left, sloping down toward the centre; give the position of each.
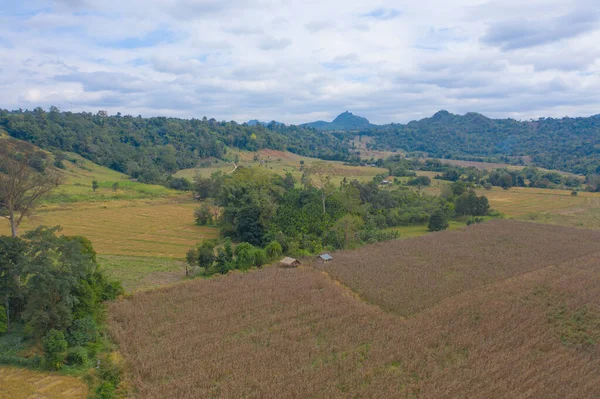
(150, 148)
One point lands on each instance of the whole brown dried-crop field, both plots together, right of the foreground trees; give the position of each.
(524, 323)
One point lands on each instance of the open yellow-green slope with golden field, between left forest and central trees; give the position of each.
(140, 231)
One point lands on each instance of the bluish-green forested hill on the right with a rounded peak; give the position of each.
(569, 144)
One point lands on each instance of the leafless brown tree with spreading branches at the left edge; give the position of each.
(21, 186)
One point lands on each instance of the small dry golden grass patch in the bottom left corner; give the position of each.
(19, 383)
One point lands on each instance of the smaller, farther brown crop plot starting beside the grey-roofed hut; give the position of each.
(408, 276)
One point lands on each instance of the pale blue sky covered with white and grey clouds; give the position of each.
(298, 61)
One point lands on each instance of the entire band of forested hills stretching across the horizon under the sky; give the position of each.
(150, 149)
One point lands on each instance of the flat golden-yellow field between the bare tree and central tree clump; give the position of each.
(131, 228)
